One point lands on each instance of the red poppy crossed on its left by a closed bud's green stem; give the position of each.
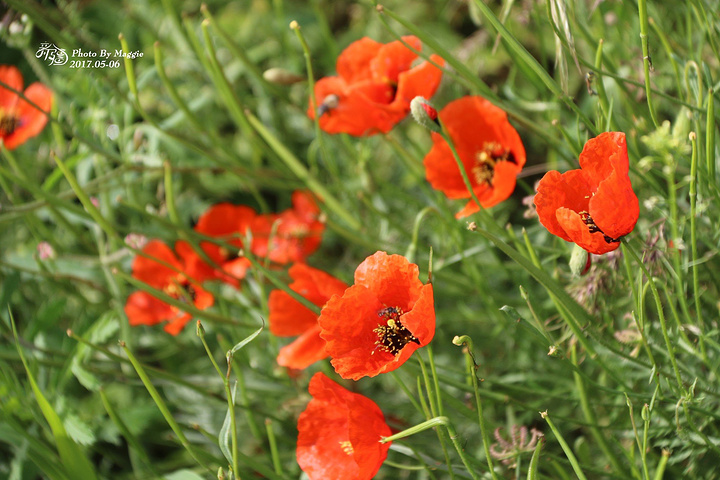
(489, 147)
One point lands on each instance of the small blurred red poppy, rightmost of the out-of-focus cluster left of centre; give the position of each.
(298, 233)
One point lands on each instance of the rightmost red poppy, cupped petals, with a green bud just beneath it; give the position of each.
(593, 206)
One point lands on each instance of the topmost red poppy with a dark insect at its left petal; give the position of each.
(374, 87)
